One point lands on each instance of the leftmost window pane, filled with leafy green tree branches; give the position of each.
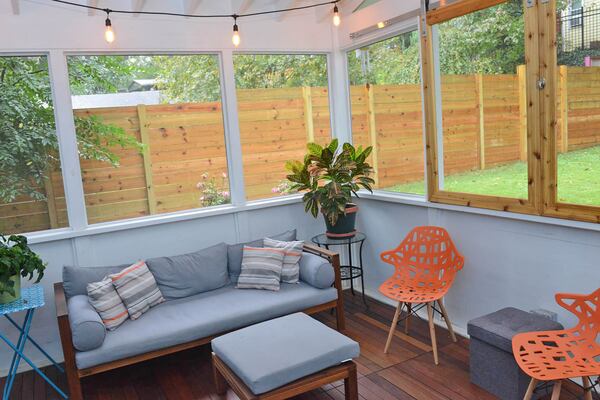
(31, 189)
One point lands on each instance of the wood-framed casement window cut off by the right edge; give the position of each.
(571, 120)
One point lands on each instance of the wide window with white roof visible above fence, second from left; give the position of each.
(150, 133)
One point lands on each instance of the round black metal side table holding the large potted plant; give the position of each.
(350, 271)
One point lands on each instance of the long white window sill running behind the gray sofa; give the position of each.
(115, 226)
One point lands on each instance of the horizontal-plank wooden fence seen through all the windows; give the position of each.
(484, 126)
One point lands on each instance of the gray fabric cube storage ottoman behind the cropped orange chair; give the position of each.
(493, 366)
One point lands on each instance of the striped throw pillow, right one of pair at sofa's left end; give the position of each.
(137, 288)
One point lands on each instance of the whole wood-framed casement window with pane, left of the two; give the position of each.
(480, 71)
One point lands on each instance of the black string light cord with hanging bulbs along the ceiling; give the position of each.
(109, 34)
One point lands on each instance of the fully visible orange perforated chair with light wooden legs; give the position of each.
(426, 263)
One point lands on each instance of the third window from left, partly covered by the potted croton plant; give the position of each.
(283, 104)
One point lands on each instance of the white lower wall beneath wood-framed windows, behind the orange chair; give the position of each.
(509, 262)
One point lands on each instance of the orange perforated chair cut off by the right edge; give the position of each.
(563, 354)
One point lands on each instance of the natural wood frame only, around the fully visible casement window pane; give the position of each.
(531, 205)
